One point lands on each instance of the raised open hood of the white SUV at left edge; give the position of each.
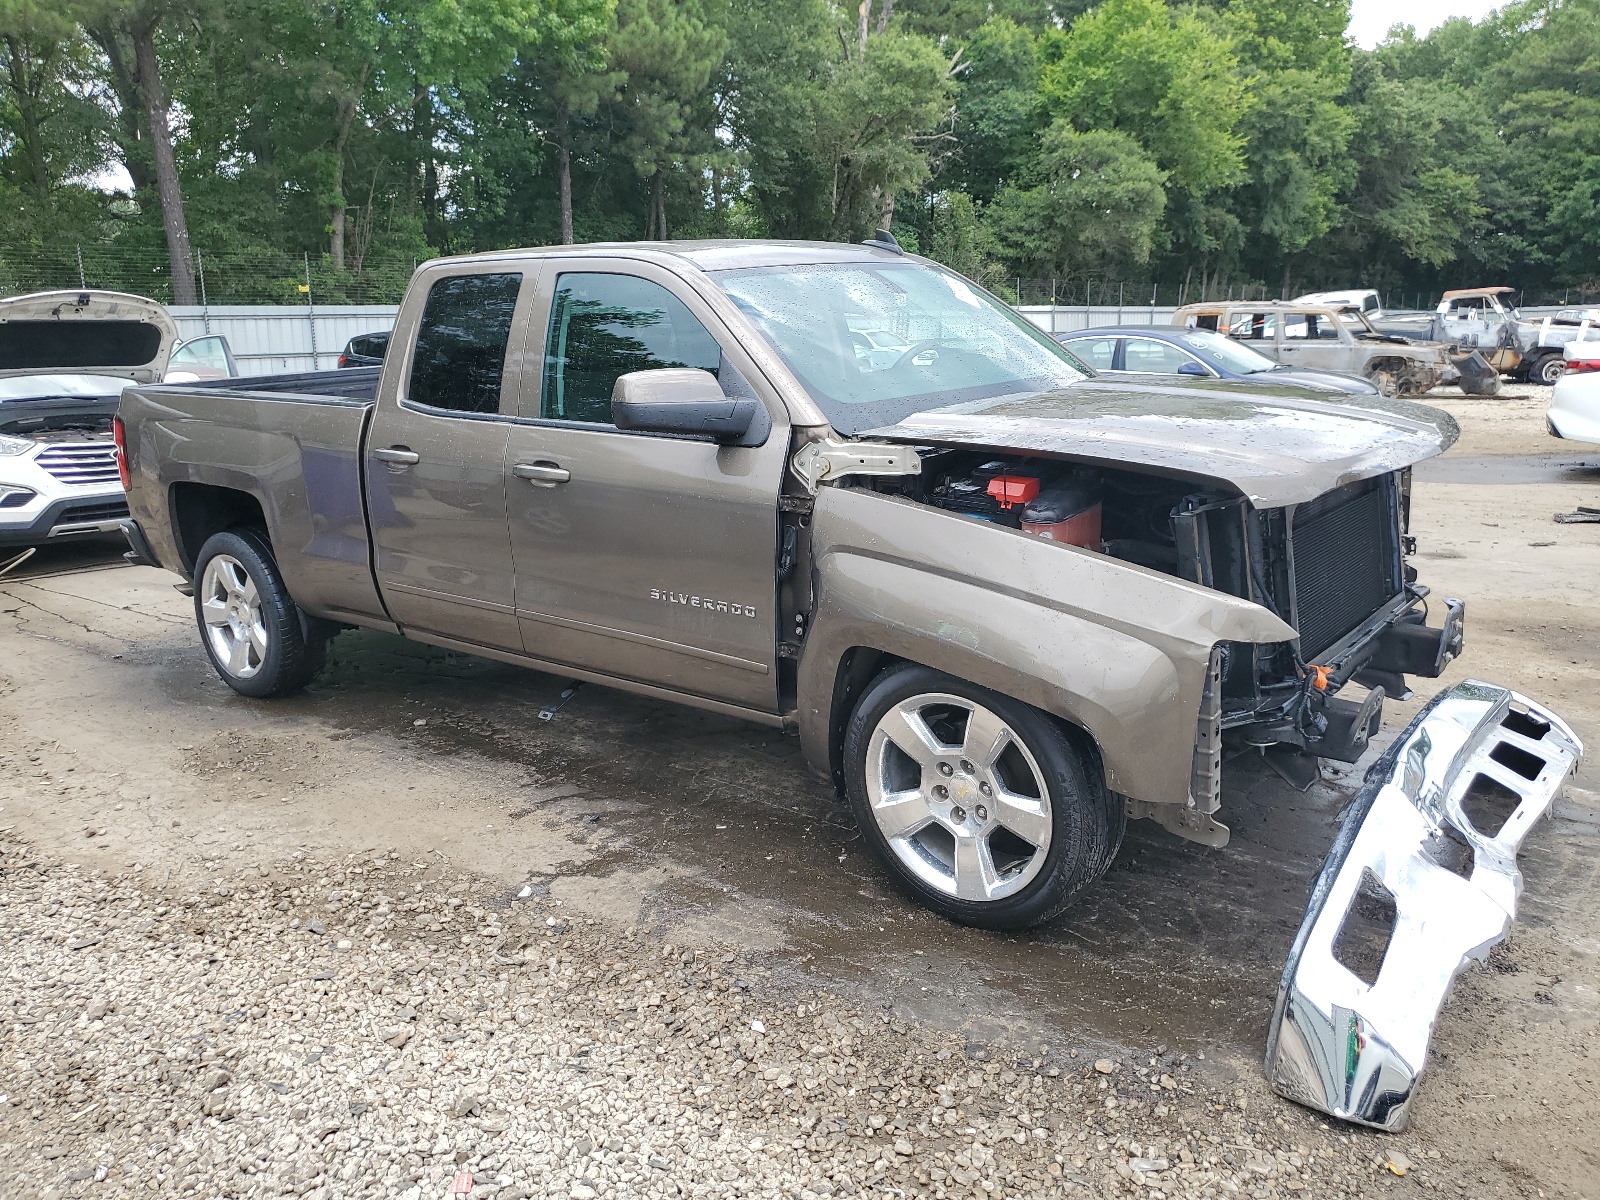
(105, 334)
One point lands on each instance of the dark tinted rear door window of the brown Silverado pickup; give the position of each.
(462, 343)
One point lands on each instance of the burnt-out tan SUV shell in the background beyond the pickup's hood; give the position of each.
(1338, 340)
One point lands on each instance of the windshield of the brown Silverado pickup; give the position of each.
(878, 342)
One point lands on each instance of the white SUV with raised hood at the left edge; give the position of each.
(65, 361)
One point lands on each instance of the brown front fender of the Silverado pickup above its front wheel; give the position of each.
(1111, 647)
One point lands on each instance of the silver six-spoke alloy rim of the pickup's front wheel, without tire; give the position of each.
(959, 798)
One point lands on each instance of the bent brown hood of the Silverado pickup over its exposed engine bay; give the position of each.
(1276, 449)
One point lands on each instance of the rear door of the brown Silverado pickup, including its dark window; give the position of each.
(436, 458)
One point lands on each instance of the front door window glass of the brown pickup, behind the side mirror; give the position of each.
(609, 326)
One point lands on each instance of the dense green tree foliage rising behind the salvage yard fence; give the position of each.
(1217, 142)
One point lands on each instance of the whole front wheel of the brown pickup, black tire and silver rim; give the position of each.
(982, 807)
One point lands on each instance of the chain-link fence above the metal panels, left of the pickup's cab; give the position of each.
(228, 278)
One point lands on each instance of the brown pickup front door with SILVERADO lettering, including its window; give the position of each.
(642, 556)
